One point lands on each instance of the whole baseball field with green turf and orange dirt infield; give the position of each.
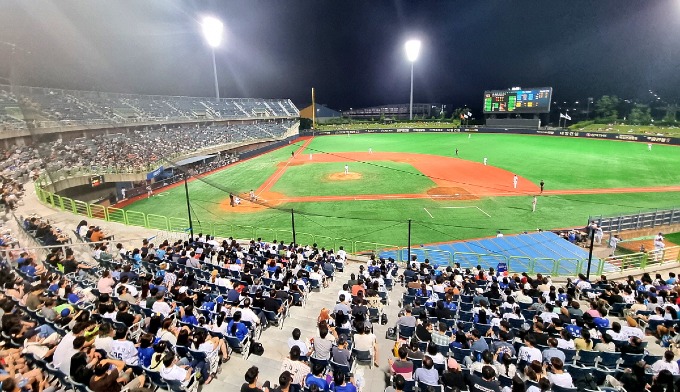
(365, 188)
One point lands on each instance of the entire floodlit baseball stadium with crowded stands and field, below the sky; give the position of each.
(180, 242)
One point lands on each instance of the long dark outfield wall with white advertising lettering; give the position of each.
(548, 132)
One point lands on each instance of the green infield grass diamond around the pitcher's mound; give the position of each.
(378, 178)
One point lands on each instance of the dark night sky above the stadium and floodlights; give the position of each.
(350, 51)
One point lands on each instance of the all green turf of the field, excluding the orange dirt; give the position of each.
(562, 162)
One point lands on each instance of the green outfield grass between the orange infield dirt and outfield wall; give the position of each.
(564, 163)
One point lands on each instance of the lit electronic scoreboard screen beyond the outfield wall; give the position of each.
(533, 100)
